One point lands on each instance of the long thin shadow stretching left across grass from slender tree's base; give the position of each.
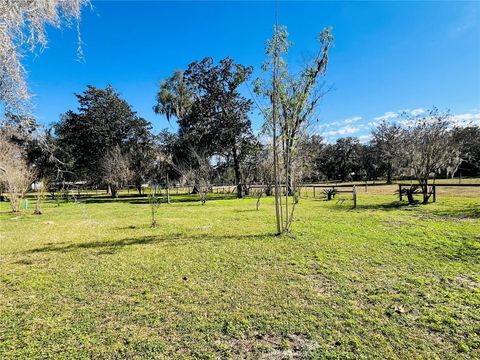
(110, 247)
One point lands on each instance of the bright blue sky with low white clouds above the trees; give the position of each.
(388, 56)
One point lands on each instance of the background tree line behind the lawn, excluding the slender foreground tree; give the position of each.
(105, 143)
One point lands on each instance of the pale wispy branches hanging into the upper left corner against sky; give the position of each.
(23, 28)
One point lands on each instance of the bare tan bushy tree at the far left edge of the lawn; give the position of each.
(15, 174)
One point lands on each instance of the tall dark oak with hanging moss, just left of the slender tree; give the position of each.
(211, 112)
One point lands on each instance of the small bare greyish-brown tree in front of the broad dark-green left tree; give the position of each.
(115, 170)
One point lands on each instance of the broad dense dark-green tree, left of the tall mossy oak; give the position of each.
(104, 124)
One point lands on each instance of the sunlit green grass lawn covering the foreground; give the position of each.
(95, 281)
